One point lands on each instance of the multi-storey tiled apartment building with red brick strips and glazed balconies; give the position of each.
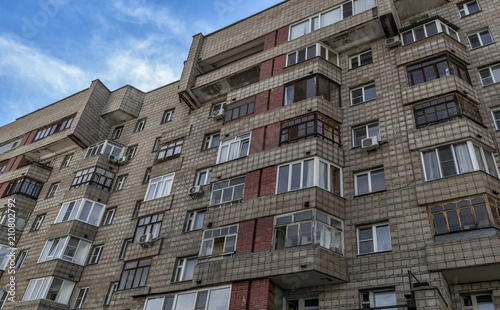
(316, 155)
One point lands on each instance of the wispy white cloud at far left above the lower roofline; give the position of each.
(32, 66)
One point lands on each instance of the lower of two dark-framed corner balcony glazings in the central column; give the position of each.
(313, 124)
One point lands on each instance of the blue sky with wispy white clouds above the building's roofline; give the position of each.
(50, 49)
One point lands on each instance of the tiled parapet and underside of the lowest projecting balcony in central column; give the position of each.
(293, 268)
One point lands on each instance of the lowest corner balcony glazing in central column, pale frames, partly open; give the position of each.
(308, 227)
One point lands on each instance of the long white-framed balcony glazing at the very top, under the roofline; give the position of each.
(330, 17)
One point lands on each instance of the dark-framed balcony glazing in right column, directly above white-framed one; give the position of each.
(444, 108)
